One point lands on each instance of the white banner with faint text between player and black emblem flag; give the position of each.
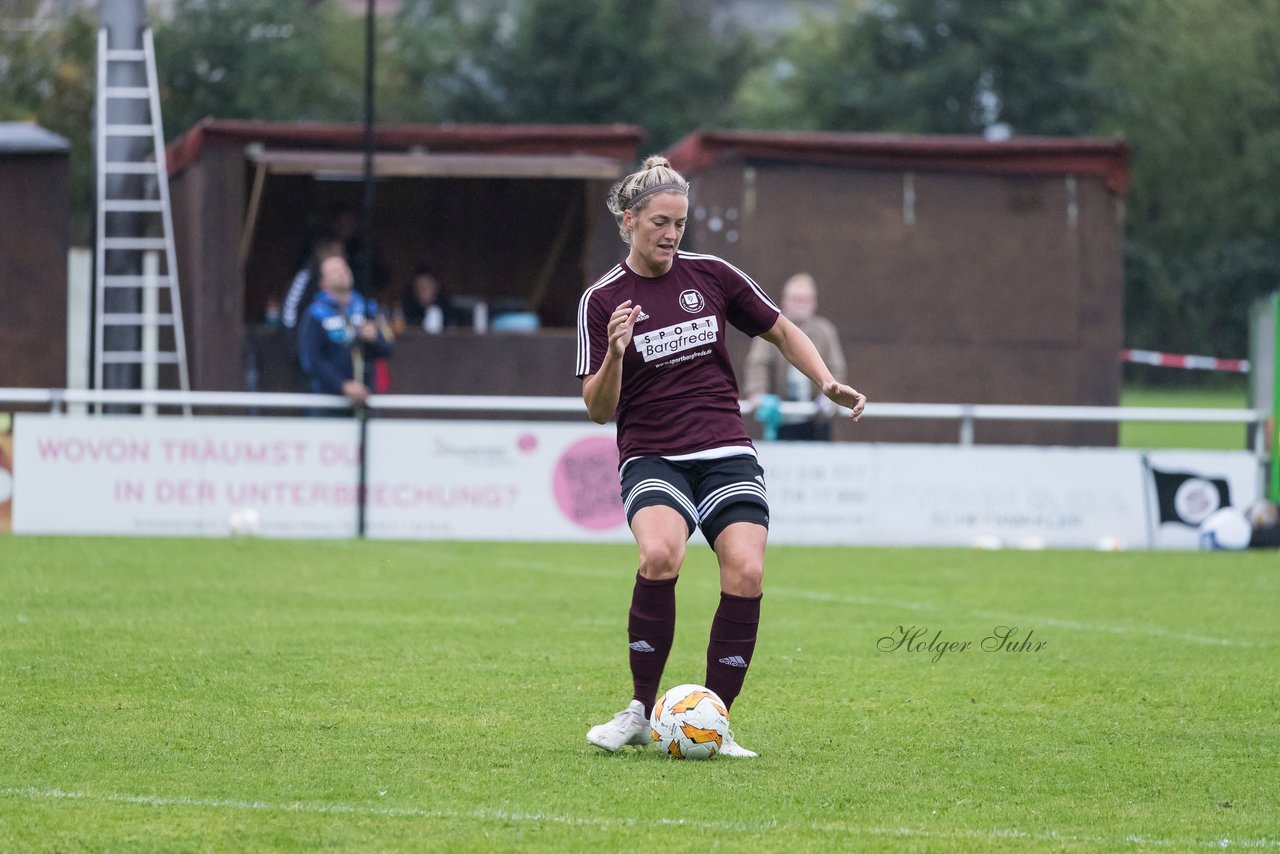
(954, 496)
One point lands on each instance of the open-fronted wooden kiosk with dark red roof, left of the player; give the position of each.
(510, 216)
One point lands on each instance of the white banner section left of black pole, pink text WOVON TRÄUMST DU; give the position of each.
(185, 477)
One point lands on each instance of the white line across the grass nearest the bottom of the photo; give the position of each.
(312, 809)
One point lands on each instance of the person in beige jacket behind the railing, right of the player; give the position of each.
(769, 373)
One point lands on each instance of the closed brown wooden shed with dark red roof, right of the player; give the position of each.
(956, 270)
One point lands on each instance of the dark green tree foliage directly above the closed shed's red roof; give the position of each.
(936, 67)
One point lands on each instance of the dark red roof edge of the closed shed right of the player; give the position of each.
(1104, 157)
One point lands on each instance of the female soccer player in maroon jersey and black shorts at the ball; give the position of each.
(651, 353)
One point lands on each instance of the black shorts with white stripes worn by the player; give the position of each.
(708, 494)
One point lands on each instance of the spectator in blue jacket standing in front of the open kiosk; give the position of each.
(339, 339)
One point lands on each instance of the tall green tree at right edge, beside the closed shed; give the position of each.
(1201, 85)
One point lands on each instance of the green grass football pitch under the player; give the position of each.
(190, 696)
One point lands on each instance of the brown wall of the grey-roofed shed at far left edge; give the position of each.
(35, 221)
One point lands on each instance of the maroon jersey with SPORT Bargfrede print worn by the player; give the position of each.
(679, 391)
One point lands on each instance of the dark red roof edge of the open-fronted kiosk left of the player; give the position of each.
(611, 141)
